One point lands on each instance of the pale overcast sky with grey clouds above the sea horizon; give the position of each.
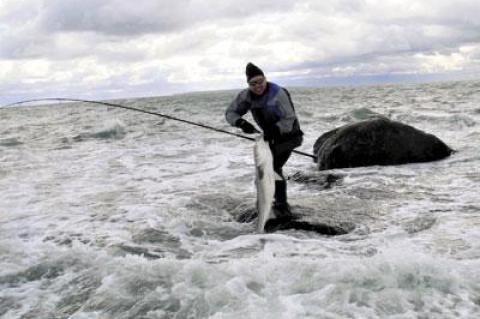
(117, 48)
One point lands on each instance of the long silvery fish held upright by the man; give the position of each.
(264, 181)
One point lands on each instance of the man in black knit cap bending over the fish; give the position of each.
(272, 109)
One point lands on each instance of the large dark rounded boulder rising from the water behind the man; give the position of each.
(377, 142)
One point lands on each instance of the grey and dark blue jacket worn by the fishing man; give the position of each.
(273, 112)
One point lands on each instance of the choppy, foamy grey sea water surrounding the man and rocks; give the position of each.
(109, 213)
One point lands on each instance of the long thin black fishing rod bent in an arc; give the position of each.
(169, 117)
